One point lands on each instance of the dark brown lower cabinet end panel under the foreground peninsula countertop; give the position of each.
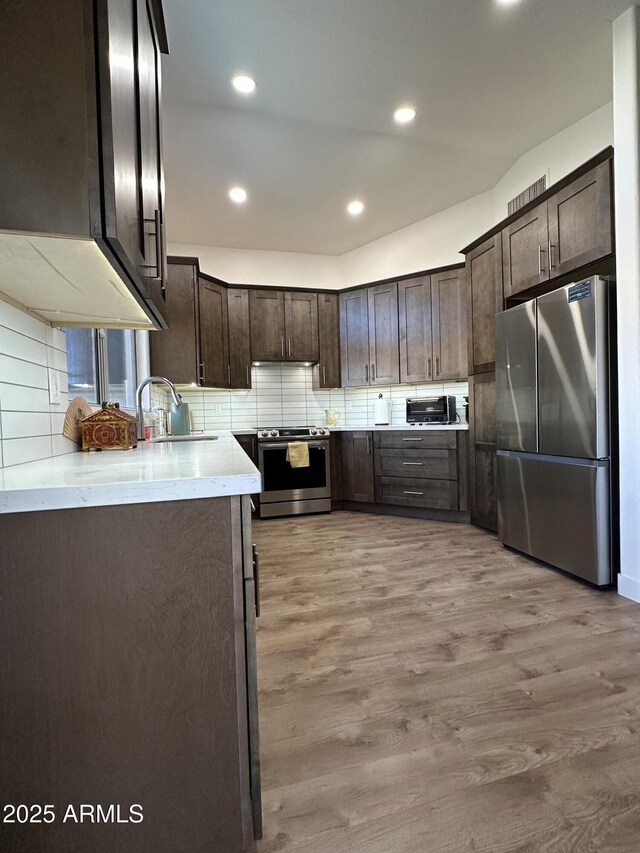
(128, 676)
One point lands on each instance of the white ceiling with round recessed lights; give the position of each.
(489, 83)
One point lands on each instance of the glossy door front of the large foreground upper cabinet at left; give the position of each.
(130, 144)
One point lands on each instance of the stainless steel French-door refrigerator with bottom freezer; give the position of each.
(553, 428)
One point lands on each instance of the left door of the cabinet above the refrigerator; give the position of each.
(525, 251)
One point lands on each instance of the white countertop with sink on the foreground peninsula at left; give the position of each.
(150, 473)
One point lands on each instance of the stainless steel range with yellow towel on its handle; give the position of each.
(294, 491)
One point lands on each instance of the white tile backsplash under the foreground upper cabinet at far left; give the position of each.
(30, 426)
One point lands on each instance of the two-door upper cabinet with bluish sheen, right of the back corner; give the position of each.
(369, 336)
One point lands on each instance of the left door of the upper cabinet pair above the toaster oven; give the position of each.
(415, 332)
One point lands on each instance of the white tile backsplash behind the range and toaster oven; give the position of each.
(283, 395)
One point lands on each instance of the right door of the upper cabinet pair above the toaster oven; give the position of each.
(449, 323)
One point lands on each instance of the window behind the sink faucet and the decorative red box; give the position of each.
(102, 365)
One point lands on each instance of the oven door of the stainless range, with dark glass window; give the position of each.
(281, 482)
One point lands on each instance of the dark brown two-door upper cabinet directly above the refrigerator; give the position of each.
(571, 229)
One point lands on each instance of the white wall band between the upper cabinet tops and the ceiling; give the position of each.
(427, 244)
